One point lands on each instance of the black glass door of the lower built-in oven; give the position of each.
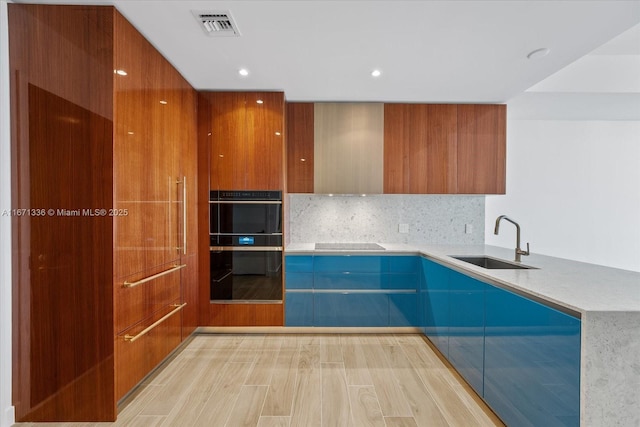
(246, 274)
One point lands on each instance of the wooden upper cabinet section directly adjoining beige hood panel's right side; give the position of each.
(420, 148)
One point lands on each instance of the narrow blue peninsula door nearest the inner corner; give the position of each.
(434, 304)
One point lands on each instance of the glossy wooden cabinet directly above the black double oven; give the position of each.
(246, 139)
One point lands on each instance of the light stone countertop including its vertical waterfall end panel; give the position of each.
(606, 299)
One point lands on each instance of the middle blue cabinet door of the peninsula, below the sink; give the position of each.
(466, 328)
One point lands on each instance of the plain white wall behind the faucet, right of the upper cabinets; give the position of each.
(574, 187)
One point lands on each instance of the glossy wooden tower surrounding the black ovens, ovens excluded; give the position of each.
(240, 147)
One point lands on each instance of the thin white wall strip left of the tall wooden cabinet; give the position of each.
(7, 412)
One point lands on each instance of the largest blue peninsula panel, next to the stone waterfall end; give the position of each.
(532, 361)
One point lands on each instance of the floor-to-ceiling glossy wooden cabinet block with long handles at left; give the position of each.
(103, 142)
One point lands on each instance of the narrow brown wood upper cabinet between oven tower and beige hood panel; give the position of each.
(300, 148)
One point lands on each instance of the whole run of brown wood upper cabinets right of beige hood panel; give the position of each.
(444, 149)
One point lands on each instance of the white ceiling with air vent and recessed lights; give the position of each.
(428, 51)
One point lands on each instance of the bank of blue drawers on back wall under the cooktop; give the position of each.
(351, 290)
